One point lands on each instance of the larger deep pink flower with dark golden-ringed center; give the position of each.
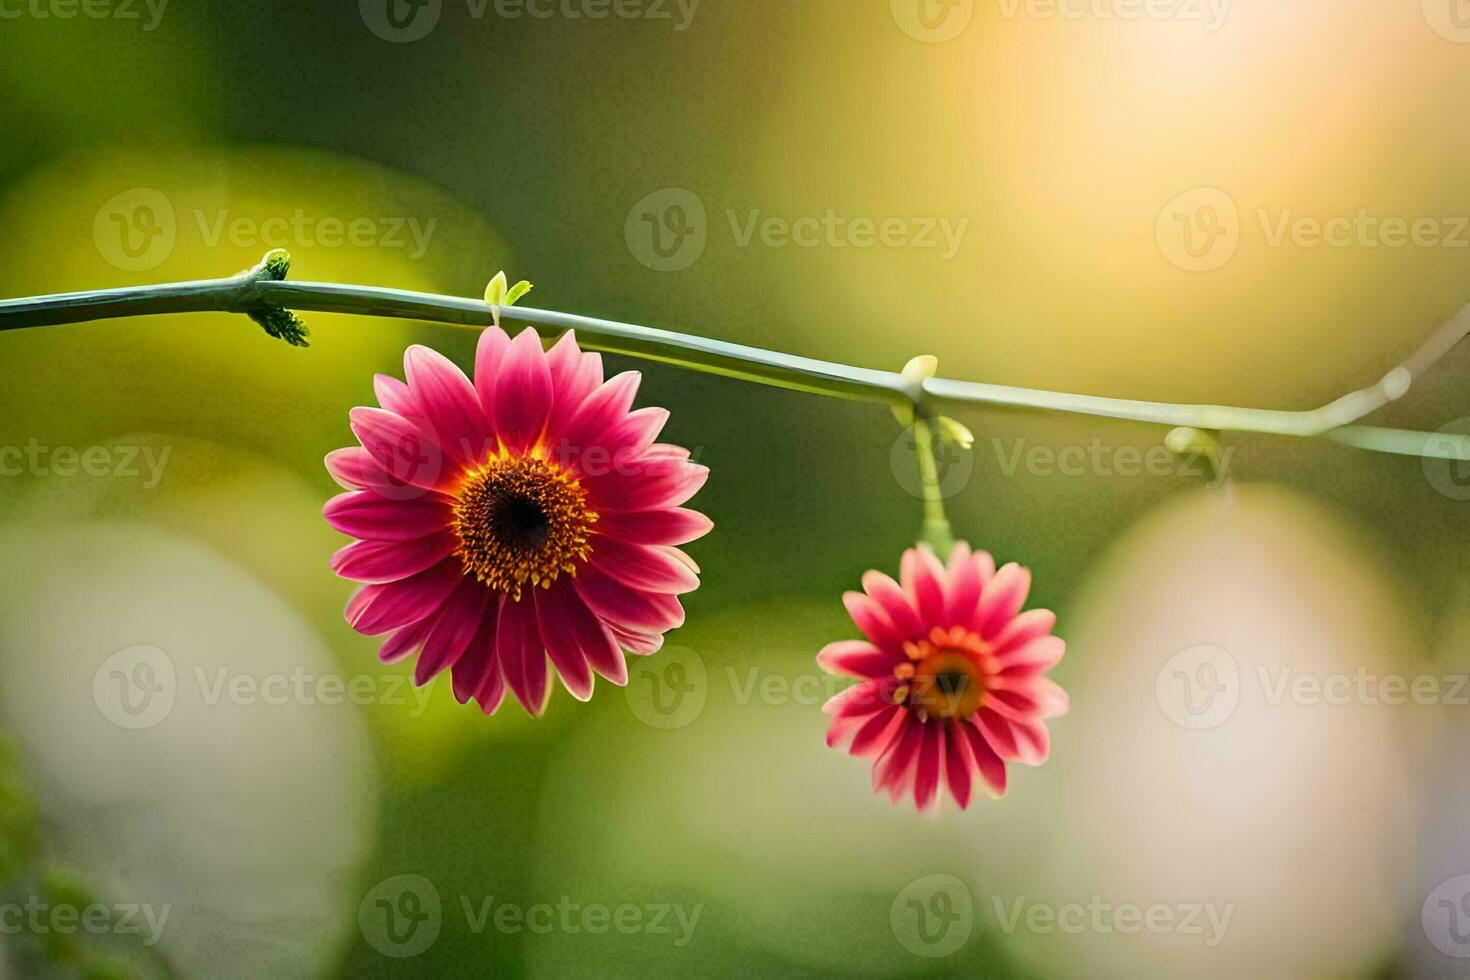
(527, 516)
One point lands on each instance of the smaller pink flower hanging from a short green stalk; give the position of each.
(952, 677)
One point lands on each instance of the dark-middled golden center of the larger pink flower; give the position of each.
(523, 519)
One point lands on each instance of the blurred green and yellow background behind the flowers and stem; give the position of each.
(177, 142)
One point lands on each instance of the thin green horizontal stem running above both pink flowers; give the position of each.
(264, 295)
